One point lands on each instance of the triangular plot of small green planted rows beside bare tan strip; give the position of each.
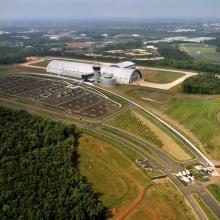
(128, 122)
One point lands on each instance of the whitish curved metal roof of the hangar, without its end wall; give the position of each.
(76, 70)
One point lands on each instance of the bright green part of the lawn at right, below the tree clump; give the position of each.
(199, 116)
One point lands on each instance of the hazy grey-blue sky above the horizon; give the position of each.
(88, 9)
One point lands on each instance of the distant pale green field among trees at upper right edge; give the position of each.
(202, 52)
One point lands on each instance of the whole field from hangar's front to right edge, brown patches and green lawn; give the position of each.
(195, 114)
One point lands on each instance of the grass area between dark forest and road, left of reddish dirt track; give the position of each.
(112, 174)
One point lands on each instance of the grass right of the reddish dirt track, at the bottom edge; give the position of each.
(160, 202)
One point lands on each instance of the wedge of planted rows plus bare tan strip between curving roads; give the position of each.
(139, 125)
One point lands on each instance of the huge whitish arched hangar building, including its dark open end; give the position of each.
(84, 71)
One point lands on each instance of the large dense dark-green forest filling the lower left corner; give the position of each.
(40, 178)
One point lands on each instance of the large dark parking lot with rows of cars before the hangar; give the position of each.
(57, 94)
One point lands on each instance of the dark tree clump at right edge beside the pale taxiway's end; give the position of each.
(202, 84)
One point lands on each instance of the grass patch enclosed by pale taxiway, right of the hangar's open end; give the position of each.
(158, 76)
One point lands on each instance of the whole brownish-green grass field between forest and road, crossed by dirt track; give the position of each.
(125, 189)
